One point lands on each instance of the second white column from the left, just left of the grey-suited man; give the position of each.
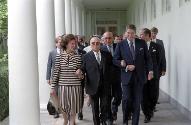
(46, 43)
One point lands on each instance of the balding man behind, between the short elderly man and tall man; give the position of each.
(116, 94)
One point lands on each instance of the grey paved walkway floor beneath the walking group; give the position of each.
(166, 115)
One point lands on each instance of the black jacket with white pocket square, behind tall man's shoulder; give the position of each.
(155, 52)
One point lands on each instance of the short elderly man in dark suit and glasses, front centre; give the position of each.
(96, 65)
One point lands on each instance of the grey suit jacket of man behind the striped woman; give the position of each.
(51, 63)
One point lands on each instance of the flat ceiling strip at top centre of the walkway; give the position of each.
(106, 4)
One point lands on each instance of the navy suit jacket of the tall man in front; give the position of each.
(142, 60)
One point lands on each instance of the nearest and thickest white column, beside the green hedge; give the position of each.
(23, 63)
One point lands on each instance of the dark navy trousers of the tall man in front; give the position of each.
(131, 100)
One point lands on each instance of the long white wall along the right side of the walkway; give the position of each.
(174, 30)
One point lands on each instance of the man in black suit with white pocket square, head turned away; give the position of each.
(149, 89)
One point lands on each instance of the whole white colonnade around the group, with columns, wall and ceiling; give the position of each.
(34, 24)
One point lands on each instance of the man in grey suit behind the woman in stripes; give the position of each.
(51, 63)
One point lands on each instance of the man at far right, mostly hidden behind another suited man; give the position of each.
(162, 68)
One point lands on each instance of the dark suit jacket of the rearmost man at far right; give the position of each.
(163, 61)
